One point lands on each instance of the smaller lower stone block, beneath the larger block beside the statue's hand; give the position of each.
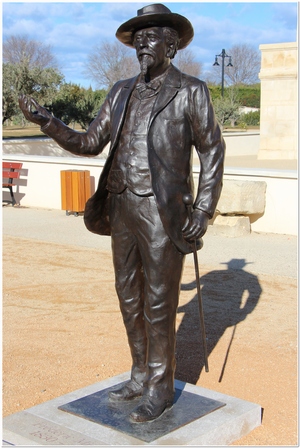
(232, 226)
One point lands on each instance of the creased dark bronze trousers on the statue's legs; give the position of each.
(148, 270)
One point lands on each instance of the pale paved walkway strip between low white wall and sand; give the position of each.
(258, 253)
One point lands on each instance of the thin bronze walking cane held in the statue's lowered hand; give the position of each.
(188, 201)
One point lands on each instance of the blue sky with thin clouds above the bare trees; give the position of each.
(73, 28)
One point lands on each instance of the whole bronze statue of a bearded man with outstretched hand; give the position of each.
(152, 122)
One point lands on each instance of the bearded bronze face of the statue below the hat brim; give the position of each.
(151, 48)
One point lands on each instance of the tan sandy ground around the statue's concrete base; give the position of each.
(62, 331)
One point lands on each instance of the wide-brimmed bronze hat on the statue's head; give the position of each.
(156, 15)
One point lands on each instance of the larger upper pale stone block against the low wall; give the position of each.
(242, 197)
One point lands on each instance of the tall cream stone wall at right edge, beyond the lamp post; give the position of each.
(279, 105)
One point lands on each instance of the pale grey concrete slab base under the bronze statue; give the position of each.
(226, 421)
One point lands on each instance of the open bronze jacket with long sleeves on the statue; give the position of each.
(182, 117)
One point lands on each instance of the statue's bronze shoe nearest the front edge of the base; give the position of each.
(149, 409)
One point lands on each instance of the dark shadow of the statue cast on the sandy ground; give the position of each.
(228, 295)
